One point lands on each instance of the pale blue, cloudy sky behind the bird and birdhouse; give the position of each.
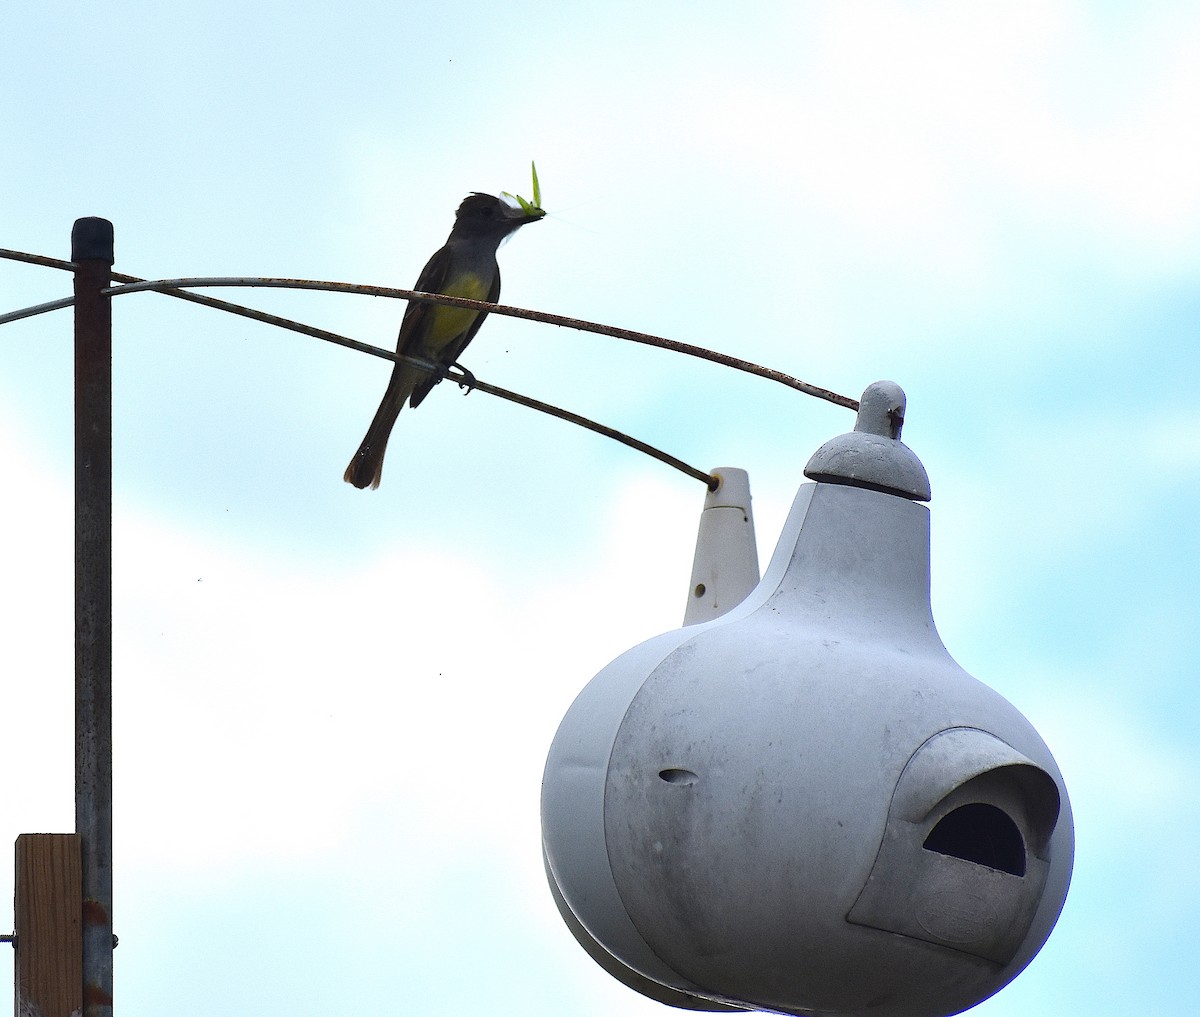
(332, 707)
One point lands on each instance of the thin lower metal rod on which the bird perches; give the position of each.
(709, 480)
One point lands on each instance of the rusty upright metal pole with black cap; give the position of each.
(92, 251)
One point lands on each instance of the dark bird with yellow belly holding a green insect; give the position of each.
(464, 267)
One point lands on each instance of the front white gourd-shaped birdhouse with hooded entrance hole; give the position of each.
(806, 805)
